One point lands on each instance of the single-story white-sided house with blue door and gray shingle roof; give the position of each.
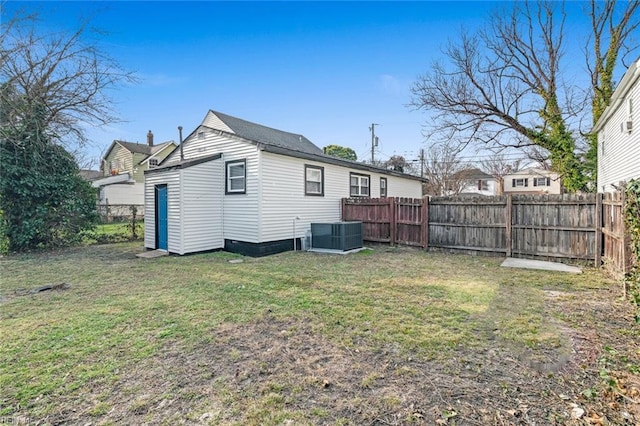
(252, 189)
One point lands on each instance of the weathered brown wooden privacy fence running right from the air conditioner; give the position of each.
(545, 226)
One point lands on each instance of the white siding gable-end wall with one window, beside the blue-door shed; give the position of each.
(241, 211)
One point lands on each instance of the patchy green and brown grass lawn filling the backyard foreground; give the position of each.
(389, 336)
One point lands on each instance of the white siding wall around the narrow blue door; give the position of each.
(172, 180)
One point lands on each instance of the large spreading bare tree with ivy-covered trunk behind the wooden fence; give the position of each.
(502, 86)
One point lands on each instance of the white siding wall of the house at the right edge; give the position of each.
(619, 150)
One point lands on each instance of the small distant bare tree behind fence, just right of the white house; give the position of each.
(443, 170)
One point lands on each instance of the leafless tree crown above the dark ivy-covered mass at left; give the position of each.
(58, 77)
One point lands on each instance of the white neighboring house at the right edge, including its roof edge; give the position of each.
(618, 131)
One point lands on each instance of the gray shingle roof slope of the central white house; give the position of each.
(268, 135)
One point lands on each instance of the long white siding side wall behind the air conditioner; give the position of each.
(283, 194)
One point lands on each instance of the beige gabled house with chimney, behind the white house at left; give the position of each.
(123, 167)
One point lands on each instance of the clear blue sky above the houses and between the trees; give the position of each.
(326, 70)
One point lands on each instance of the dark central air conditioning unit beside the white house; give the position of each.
(341, 236)
